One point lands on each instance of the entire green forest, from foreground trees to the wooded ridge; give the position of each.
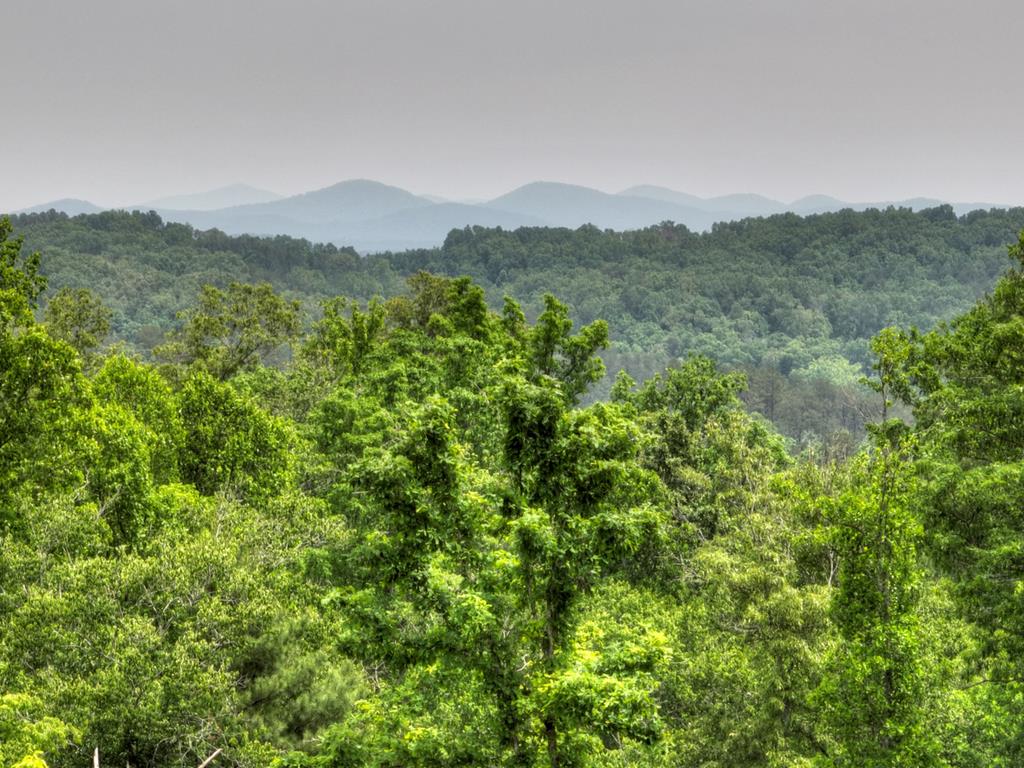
(321, 510)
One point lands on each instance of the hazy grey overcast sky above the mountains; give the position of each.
(120, 102)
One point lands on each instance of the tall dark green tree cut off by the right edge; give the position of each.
(966, 390)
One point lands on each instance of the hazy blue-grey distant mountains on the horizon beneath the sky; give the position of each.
(373, 217)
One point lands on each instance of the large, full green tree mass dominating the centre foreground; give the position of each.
(479, 539)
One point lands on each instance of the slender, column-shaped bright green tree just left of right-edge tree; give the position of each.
(872, 698)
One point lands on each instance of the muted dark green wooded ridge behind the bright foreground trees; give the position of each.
(793, 302)
